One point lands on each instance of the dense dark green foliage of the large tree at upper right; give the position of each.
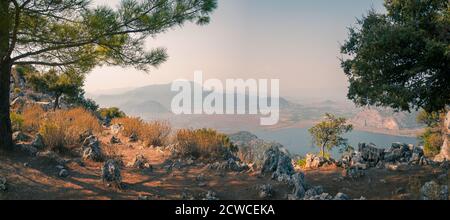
(401, 59)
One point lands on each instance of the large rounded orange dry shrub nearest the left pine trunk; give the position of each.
(62, 129)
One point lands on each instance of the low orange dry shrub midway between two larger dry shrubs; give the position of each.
(154, 133)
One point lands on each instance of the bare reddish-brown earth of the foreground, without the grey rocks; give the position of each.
(37, 179)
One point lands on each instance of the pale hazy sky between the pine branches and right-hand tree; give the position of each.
(296, 41)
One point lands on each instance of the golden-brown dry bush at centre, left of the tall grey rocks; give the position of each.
(203, 144)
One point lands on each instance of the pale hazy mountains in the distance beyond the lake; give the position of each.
(154, 102)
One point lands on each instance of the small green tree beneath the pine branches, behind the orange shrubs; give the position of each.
(68, 83)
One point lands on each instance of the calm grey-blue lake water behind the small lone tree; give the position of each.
(298, 140)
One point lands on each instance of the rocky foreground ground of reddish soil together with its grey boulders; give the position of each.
(151, 173)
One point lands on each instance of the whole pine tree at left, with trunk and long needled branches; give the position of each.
(74, 35)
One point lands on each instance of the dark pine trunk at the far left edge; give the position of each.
(5, 121)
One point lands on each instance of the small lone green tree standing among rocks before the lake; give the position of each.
(327, 134)
